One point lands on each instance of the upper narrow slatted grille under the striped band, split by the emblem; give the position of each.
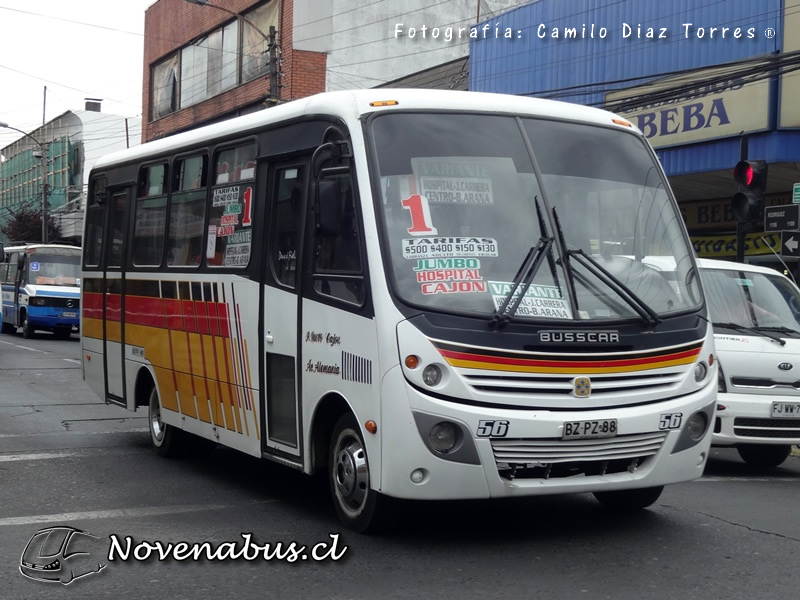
(544, 386)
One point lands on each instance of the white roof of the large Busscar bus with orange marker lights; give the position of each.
(354, 103)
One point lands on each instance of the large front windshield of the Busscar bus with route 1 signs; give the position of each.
(464, 206)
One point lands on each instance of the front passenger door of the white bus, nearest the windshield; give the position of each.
(286, 185)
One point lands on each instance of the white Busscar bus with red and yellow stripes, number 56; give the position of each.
(424, 294)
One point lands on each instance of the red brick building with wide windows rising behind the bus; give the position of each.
(209, 62)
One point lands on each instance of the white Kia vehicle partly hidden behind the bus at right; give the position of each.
(755, 312)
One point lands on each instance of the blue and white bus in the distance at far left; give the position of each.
(41, 289)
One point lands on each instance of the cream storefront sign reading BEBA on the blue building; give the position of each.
(699, 111)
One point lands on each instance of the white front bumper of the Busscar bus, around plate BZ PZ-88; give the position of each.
(531, 458)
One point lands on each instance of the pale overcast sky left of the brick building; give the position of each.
(78, 49)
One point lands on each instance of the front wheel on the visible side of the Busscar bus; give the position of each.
(358, 506)
